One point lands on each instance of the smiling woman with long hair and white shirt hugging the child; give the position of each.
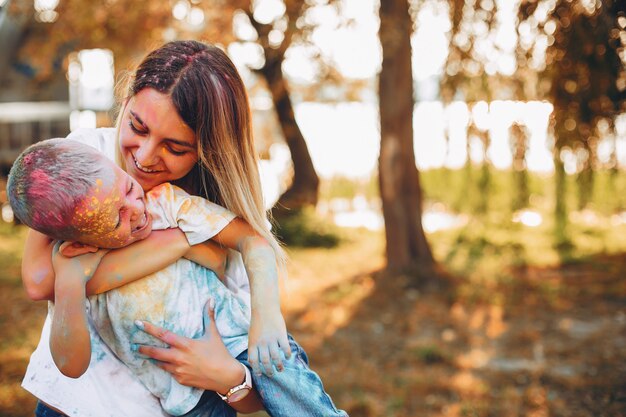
(197, 136)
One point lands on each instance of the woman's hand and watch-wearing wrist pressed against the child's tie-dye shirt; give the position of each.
(202, 363)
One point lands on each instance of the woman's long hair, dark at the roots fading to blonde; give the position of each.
(210, 97)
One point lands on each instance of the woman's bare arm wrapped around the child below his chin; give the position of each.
(118, 267)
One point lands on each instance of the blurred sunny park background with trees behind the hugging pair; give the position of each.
(447, 175)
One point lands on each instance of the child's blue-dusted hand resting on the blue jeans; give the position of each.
(267, 337)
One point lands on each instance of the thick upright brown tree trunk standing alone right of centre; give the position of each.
(400, 189)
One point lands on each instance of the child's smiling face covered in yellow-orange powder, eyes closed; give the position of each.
(113, 214)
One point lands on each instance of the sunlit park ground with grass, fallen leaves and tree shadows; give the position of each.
(512, 329)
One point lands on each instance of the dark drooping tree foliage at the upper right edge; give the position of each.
(582, 75)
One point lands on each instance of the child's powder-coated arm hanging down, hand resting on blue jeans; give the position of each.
(268, 333)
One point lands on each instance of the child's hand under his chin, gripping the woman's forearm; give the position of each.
(70, 265)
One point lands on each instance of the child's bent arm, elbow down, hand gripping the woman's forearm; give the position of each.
(70, 343)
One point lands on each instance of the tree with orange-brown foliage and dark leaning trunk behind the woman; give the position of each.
(130, 31)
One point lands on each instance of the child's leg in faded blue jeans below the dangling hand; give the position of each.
(296, 391)
